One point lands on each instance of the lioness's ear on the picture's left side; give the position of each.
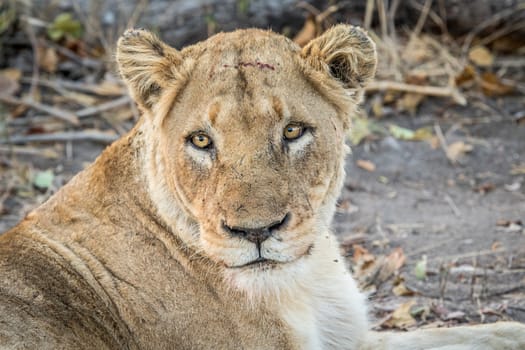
(147, 65)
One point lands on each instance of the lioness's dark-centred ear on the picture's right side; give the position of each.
(346, 53)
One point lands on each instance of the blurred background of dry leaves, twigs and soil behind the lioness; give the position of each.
(431, 219)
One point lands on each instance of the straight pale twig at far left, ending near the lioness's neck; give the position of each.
(95, 136)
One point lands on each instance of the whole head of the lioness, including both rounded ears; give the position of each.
(248, 134)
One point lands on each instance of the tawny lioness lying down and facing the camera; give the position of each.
(207, 226)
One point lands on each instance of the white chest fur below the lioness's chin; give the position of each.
(325, 310)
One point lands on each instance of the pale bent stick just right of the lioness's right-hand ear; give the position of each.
(424, 90)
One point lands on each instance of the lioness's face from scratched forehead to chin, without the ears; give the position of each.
(253, 162)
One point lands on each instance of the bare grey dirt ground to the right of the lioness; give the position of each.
(466, 219)
